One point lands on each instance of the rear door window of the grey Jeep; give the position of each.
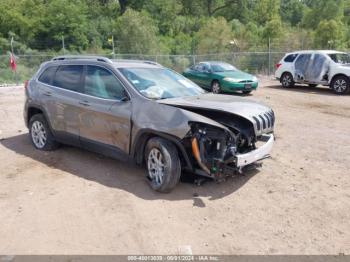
(69, 77)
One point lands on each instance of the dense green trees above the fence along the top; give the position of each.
(173, 26)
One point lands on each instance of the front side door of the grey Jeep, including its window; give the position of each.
(106, 113)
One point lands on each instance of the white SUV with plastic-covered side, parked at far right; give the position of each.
(324, 67)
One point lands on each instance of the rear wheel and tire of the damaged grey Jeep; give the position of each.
(40, 134)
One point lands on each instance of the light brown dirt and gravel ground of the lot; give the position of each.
(75, 202)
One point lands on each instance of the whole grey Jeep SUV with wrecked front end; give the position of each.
(144, 111)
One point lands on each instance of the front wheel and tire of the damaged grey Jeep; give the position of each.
(162, 177)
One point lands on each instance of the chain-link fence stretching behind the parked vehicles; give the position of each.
(252, 62)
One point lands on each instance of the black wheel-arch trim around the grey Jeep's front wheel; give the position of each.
(141, 138)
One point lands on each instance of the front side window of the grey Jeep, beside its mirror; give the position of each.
(100, 82)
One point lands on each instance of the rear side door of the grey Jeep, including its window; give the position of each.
(60, 91)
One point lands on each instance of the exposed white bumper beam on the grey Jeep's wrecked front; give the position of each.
(257, 154)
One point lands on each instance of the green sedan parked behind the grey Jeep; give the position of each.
(220, 77)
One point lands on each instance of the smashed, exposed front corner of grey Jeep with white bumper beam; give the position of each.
(219, 153)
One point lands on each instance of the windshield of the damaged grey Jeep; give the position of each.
(160, 83)
